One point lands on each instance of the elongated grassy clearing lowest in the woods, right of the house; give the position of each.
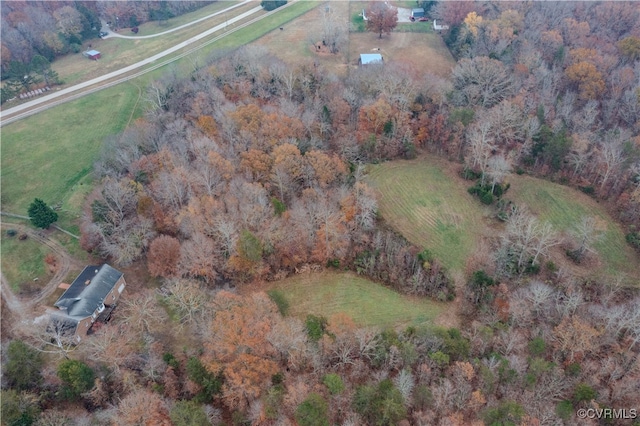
(367, 303)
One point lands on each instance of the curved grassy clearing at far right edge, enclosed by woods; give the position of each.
(564, 208)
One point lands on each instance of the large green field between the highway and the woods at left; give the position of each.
(48, 154)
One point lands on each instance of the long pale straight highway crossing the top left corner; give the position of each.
(8, 115)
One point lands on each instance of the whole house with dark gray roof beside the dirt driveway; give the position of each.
(91, 297)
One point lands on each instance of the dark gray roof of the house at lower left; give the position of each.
(88, 290)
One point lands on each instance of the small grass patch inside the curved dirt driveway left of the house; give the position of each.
(22, 262)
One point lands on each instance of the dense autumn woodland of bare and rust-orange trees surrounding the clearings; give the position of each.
(252, 169)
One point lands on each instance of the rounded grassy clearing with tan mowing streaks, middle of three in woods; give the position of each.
(427, 202)
